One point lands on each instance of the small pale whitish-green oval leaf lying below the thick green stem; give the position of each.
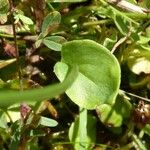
(48, 122)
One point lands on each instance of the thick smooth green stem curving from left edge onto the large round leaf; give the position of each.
(9, 97)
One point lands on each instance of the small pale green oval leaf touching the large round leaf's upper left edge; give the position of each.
(52, 45)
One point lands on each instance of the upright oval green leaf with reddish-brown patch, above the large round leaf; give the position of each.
(51, 21)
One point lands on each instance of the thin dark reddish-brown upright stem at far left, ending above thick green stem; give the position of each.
(15, 42)
